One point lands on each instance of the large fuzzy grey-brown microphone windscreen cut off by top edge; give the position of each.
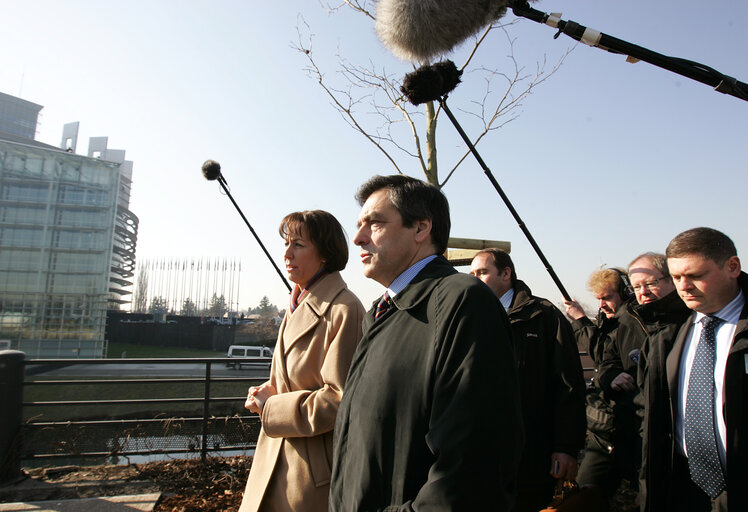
(419, 30)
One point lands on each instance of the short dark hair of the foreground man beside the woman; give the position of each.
(414, 200)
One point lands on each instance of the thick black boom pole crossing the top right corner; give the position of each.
(693, 70)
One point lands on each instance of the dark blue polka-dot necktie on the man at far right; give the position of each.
(700, 424)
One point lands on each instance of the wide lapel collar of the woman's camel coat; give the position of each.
(313, 307)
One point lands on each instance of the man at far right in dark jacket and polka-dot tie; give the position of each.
(695, 446)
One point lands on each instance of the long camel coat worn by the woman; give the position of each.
(293, 460)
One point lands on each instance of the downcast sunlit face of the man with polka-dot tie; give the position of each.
(704, 285)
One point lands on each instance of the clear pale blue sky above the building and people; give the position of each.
(607, 159)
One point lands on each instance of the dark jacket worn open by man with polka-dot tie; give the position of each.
(661, 357)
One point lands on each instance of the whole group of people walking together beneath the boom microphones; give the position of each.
(466, 392)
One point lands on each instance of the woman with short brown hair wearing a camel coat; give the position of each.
(297, 405)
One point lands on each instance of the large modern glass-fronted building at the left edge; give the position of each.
(67, 239)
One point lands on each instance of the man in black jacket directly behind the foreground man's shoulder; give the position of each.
(552, 392)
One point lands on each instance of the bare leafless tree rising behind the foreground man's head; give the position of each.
(369, 99)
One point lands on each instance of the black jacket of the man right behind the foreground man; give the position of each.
(551, 383)
